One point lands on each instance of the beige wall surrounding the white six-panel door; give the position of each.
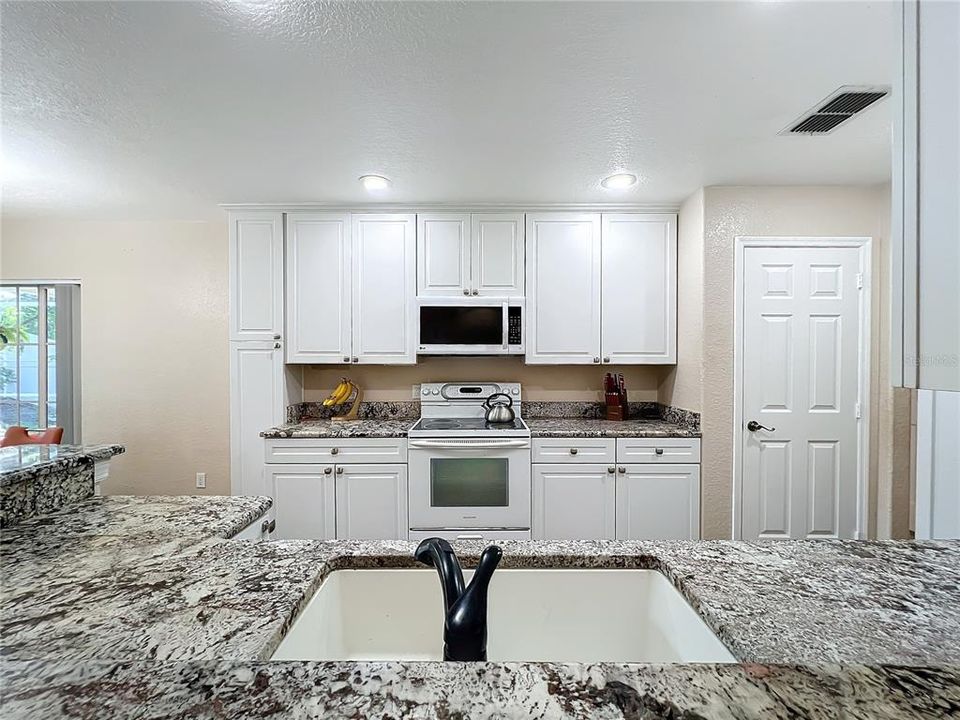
(785, 211)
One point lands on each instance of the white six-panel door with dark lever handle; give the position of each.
(800, 376)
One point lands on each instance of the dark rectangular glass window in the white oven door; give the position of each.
(469, 482)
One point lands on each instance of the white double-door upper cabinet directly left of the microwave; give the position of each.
(351, 284)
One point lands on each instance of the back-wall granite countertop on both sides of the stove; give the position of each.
(539, 427)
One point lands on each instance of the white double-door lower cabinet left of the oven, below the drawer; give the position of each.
(344, 502)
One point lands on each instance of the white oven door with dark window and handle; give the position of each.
(469, 483)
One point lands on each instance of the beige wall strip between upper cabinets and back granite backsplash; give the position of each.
(540, 382)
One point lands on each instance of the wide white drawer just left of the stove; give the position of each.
(336, 450)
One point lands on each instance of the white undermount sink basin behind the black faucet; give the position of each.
(533, 615)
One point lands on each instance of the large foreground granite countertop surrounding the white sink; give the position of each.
(139, 607)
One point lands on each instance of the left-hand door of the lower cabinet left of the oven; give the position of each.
(303, 501)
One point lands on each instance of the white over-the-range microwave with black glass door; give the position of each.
(471, 326)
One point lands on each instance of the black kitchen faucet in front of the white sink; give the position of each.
(465, 610)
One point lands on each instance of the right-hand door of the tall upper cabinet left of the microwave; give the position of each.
(384, 289)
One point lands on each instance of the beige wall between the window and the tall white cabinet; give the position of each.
(153, 341)
